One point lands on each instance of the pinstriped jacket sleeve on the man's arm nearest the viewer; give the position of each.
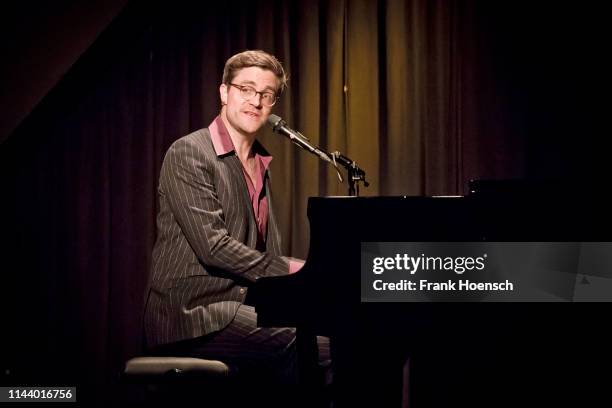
(187, 181)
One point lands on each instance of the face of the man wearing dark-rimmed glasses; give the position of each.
(248, 116)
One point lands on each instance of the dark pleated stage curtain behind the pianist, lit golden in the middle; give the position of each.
(424, 95)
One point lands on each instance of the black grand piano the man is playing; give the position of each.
(480, 354)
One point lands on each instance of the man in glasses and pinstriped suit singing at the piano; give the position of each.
(217, 233)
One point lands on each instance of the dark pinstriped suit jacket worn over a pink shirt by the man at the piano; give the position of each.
(203, 258)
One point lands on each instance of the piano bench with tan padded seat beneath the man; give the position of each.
(168, 380)
